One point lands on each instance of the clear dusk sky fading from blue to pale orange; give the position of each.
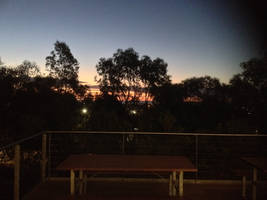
(195, 37)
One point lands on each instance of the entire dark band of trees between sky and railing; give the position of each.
(136, 94)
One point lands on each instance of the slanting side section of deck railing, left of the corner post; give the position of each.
(20, 166)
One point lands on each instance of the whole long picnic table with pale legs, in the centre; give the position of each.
(172, 165)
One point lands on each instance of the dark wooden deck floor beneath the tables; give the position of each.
(100, 190)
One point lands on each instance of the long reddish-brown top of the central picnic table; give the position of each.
(127, 163)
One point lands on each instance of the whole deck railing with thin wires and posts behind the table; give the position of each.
(217, 156)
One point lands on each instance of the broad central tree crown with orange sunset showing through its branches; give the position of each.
(127, 77)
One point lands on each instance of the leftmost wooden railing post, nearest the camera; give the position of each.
(16, 172)
